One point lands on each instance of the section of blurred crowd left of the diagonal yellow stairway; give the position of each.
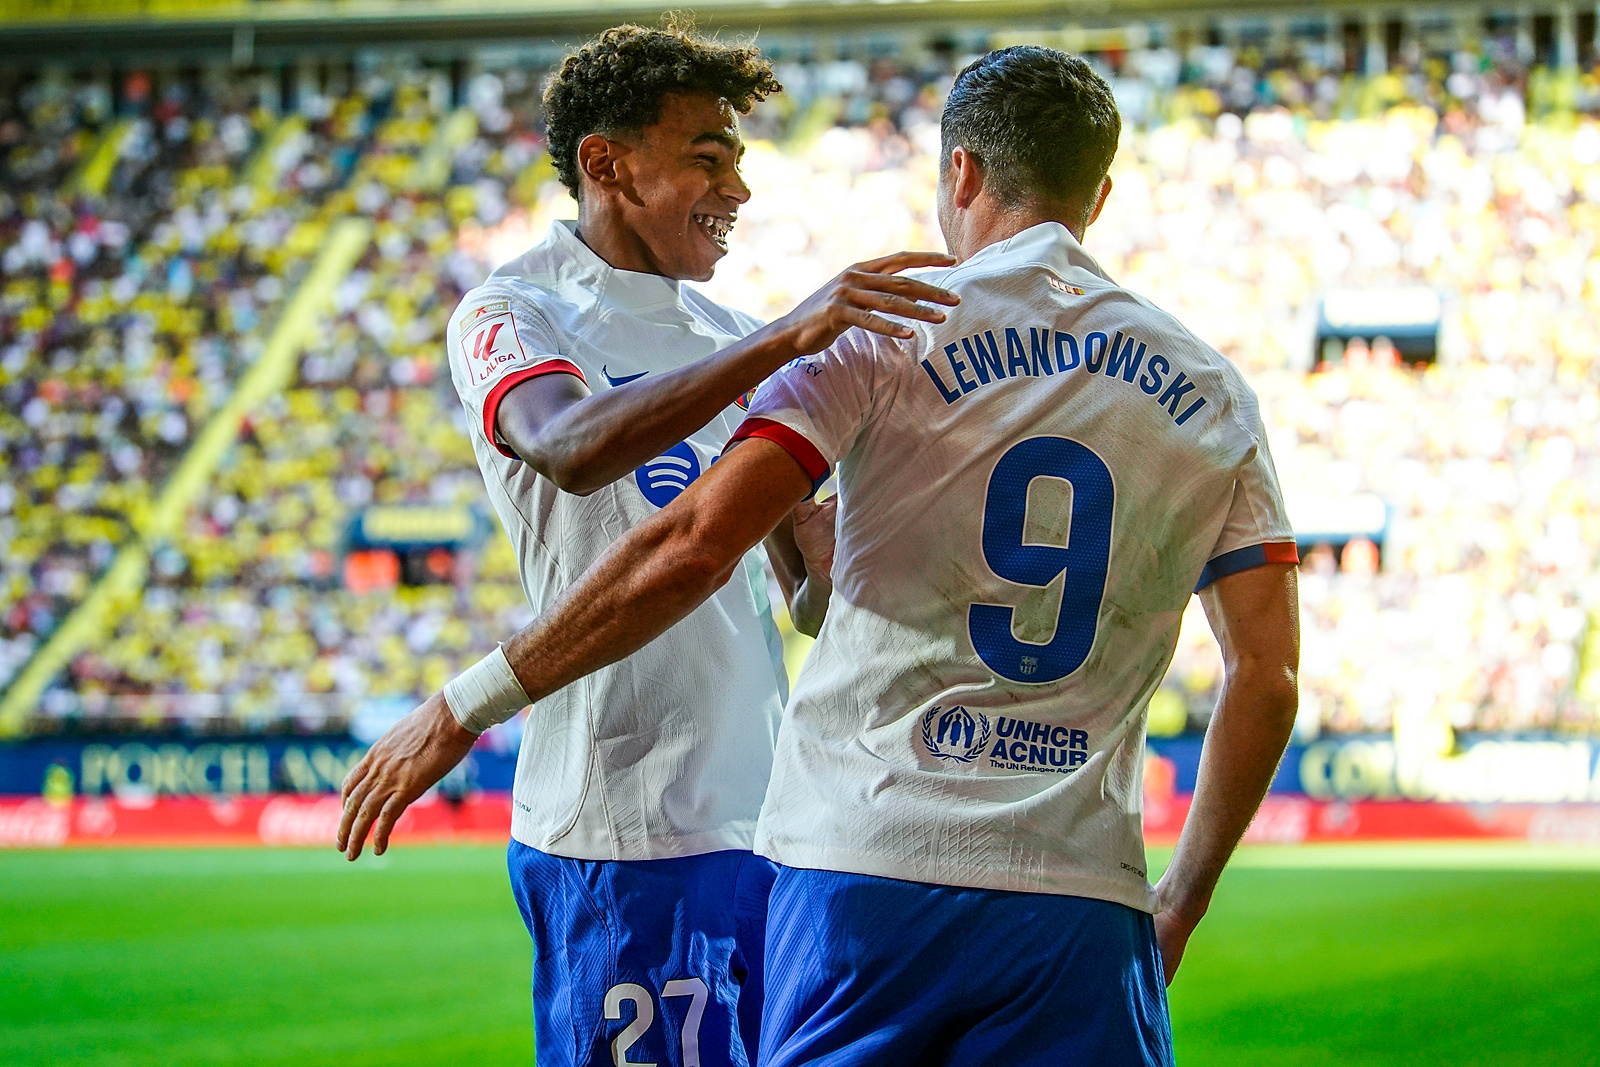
(143, 268)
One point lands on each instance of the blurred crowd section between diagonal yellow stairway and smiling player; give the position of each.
(255, 604)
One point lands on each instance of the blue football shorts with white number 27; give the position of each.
(646, 962)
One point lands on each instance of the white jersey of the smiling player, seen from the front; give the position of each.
(668, 751)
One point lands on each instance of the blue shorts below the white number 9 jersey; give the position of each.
(866, 970)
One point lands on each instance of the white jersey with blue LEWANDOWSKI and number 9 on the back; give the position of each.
(1030, 495)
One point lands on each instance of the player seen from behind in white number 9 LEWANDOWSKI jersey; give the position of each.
(1030, 495)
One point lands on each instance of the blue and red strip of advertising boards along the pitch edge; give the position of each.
(282, 791)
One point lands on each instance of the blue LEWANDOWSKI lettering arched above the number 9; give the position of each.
(1058, 353)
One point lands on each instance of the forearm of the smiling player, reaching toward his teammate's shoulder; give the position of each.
(593, 444)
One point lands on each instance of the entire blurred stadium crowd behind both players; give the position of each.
(156, 223)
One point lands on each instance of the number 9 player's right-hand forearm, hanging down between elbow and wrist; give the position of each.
(1244, 746)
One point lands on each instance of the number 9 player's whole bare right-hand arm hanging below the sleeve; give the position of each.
(1255, 617)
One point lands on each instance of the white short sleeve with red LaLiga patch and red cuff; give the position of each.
(497, 342)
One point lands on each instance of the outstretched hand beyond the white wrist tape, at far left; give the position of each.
(406, 764)
